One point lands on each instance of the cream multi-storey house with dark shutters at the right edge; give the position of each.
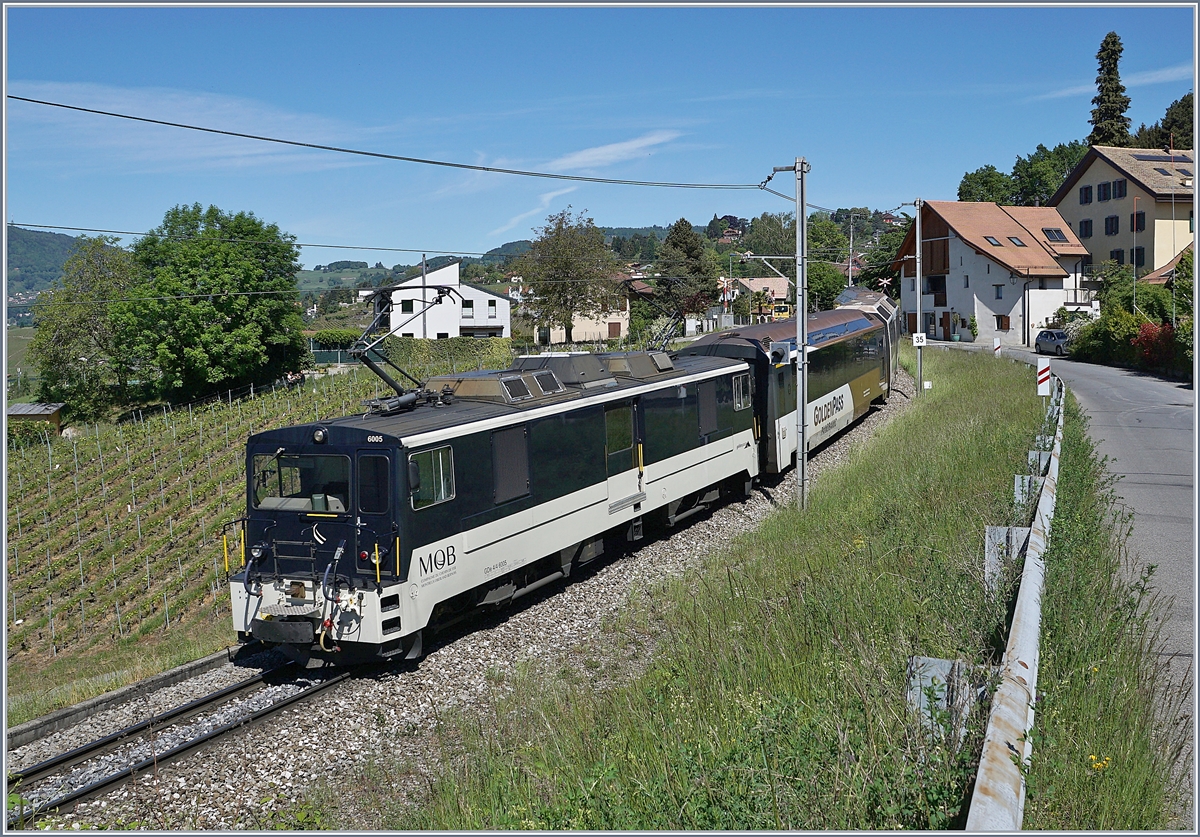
(1133, 207)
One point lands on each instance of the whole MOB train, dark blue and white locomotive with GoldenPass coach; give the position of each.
(477, 489)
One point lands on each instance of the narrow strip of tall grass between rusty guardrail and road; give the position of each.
(1111, 726)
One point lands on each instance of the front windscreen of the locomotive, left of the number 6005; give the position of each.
(302, 483)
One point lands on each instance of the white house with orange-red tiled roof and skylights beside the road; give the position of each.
(1011, 268)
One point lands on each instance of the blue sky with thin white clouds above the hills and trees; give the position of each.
(886, 104)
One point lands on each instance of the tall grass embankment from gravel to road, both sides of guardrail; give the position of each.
(777, 700)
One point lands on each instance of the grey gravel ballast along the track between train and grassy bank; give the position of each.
(242, 782)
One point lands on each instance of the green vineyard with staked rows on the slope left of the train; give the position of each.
(118, 538)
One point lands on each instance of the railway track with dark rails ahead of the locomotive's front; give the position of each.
(109, 762)
